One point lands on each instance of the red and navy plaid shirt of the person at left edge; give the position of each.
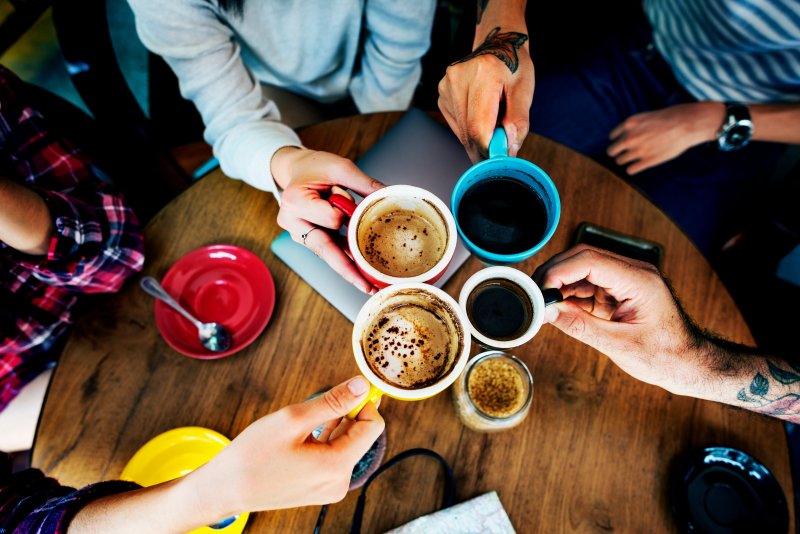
(96, 245)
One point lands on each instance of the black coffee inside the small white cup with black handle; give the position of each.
(500, 309)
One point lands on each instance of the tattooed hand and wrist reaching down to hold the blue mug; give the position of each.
(499, 70)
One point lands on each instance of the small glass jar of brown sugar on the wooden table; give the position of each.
(494, 392)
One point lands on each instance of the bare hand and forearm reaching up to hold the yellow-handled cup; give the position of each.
(274, 463)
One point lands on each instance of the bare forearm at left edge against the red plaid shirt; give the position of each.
(25, 221)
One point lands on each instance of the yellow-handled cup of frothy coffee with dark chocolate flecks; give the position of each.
(410, 341)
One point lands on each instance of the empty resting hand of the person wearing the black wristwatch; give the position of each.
(648, 139)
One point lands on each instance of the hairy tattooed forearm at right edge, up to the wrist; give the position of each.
(741, 376)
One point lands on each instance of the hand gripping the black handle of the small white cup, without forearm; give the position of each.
(624, 309)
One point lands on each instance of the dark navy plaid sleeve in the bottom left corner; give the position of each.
(31, 502)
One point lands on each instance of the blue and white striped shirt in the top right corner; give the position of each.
(731, 50)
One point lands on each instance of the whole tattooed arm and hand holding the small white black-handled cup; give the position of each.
(626, 310)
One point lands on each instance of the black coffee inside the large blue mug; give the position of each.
(502, 215)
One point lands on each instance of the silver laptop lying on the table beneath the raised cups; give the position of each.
(416, 151)
